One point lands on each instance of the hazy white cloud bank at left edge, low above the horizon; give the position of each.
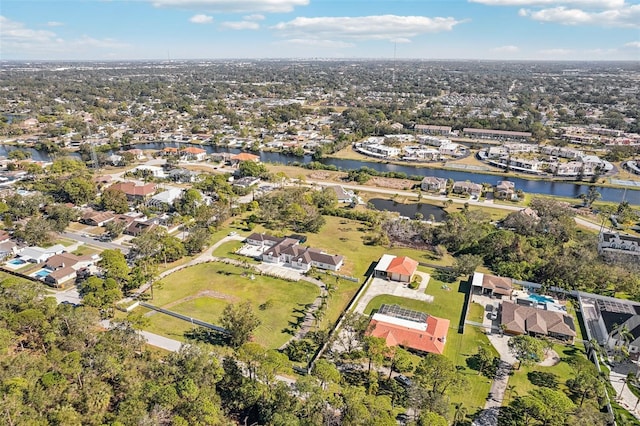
(19, 41)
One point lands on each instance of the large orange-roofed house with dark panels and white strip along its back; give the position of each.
(412, 330)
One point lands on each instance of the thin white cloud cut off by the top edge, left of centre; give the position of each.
(233, 6)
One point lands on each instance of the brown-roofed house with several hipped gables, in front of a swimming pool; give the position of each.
(519, 319)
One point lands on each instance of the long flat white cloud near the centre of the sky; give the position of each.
(382, 27)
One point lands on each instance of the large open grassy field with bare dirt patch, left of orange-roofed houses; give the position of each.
(202, 291)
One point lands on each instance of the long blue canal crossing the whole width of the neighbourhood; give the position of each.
(529, 186)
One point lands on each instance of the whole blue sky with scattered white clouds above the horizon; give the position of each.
(425, 29)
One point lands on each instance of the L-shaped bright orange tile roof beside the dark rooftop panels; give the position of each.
(432, 340)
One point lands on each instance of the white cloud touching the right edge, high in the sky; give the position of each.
(628, 16)
